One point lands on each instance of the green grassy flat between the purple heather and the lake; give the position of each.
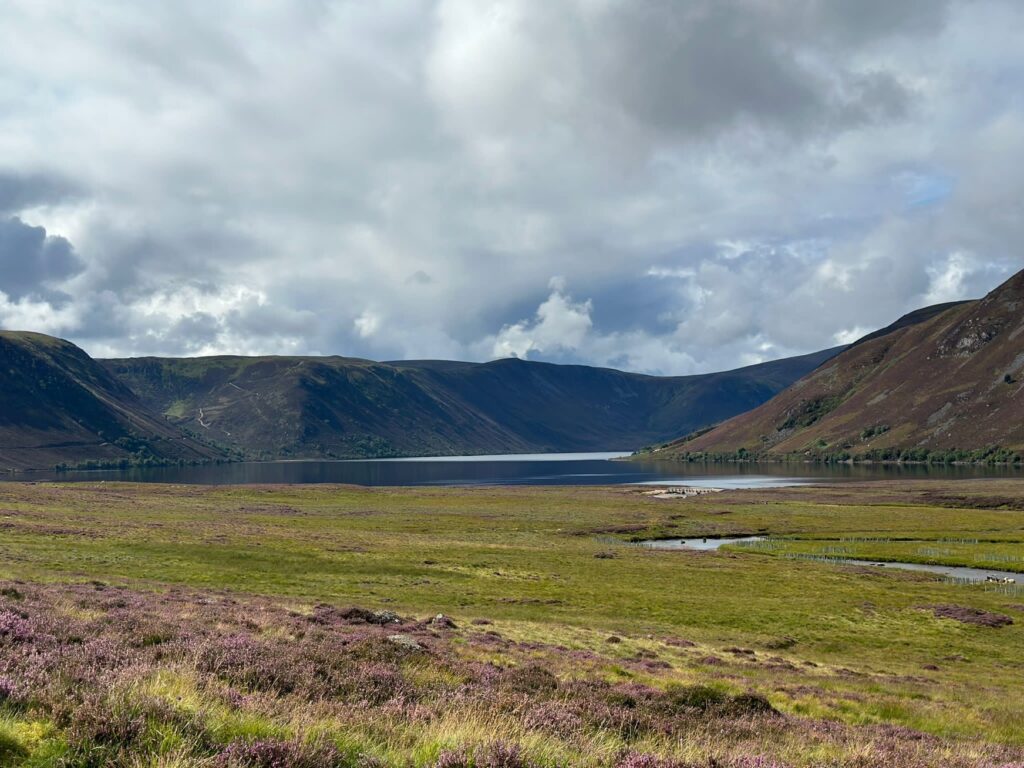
(526, 559)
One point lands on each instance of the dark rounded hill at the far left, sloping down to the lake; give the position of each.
(58, 405)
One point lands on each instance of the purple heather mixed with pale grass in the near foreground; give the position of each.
(93, 675)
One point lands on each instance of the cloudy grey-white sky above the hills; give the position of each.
(669, 187)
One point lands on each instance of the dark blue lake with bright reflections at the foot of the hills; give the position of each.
(518, 470)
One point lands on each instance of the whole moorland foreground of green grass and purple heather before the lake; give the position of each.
(160, 626)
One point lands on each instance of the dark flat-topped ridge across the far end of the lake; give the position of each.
(343, 407)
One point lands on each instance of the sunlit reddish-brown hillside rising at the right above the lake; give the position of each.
(944, 383)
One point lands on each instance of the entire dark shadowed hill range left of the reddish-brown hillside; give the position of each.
(59, 406)
